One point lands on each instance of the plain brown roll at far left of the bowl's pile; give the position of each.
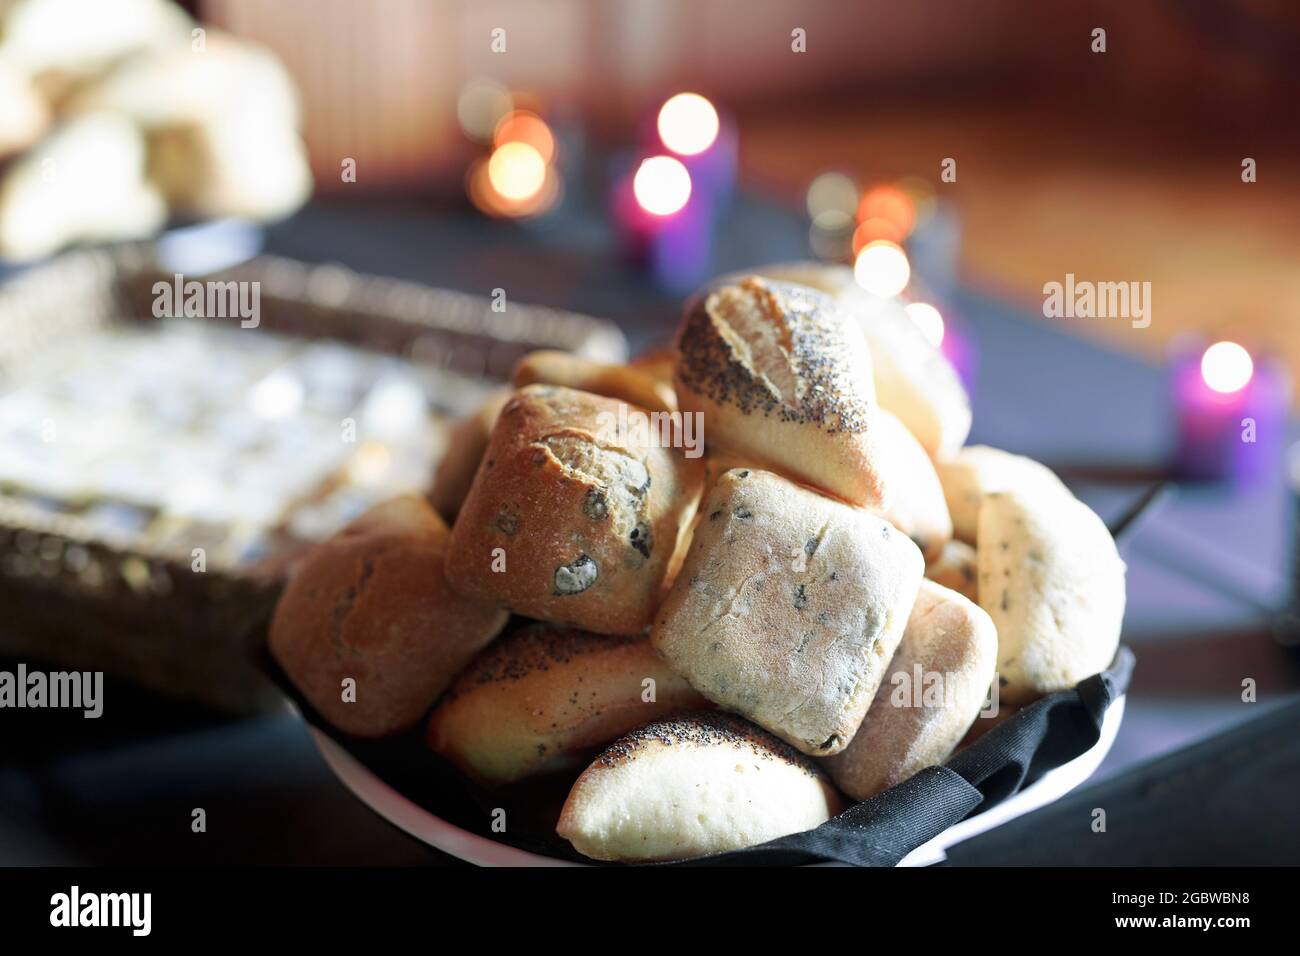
(371, 604)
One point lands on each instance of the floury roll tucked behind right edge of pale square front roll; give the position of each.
(937, 686)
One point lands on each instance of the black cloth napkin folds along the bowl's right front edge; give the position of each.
(883, 830)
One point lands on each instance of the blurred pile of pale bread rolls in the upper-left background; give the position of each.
(123, 114)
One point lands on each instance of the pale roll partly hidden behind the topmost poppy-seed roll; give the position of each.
(913, 379)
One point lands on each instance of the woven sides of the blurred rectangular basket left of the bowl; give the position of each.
(132, 605)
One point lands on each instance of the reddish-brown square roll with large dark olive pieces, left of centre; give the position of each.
(569, 521)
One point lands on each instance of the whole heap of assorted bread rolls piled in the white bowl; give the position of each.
(723, 648)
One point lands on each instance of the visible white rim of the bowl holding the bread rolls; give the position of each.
(482, 851)
